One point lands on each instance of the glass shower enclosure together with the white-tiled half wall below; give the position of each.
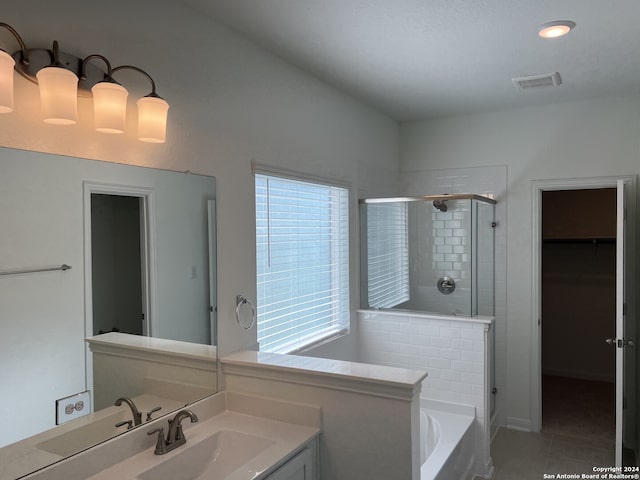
(427, 298)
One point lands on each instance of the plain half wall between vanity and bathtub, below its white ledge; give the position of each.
(364, 435)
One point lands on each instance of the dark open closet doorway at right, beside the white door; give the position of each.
(578, 313)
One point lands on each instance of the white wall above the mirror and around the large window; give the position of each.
(231, 102)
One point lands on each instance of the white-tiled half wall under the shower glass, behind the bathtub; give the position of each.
(455, 351)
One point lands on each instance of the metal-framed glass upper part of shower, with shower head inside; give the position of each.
(430, 254)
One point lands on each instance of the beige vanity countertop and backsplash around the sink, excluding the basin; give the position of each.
(288, 425)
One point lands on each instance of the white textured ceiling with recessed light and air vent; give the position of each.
(418, 59)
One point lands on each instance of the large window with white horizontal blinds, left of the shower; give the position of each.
(302, 250)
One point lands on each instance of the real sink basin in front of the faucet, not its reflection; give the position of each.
(214, 457)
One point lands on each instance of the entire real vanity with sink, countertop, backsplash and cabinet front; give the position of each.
(237, 437)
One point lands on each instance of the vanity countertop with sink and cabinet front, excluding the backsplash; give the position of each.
(229, 446)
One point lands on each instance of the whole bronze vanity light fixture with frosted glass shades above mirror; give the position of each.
(62, 78)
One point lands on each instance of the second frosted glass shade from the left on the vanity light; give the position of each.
(58, 95)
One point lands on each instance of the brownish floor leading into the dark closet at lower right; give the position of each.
(578, 433)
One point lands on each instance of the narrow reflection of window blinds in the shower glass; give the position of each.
(387, 254)
